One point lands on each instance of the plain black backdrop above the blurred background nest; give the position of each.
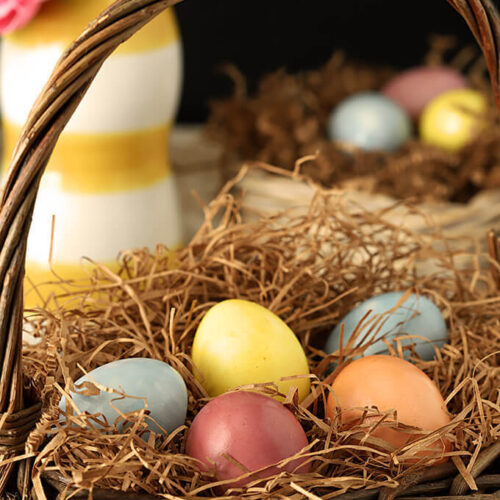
(259, 36)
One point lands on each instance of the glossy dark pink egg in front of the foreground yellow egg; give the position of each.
(255, 430)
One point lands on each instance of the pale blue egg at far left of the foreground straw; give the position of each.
(149, 379)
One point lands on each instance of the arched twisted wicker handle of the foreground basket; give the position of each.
(52, 110)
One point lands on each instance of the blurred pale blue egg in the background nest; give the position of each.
(369, 121)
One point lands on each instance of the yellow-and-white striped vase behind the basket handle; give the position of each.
(108, 186)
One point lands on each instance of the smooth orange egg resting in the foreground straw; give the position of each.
(391, 383)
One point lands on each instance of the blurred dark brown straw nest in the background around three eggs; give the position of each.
(286, 119)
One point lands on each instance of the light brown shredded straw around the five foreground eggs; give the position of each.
(309, 267)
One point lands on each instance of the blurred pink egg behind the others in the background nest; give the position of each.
(415, 88)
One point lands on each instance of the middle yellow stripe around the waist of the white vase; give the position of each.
(99, 163)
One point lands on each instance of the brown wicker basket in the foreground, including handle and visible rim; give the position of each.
(59, 99)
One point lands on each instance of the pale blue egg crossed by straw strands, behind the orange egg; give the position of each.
(385, 316)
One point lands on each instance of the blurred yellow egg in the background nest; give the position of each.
(453, 119)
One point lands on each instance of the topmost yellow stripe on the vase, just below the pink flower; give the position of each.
(61, 21)
